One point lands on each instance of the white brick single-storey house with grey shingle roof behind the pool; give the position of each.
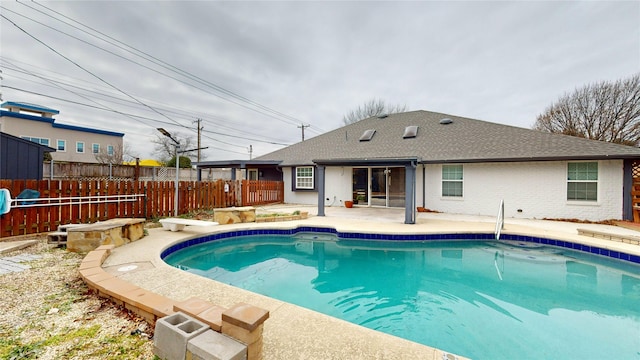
(458, 165)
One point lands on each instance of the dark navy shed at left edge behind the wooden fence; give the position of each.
(28, 165)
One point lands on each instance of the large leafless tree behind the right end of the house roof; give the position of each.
(602, 111)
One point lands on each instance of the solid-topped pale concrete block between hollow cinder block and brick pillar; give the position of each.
(211, 345)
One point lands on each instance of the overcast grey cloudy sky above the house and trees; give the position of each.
(255, 72)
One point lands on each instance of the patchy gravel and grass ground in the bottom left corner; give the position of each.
(47, 312)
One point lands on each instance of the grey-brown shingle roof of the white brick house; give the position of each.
(463, 140)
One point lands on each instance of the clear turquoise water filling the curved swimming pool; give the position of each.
(479, 299)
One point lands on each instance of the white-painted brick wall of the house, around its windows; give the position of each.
(538, 189)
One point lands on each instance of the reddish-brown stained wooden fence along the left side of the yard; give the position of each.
(97, 200)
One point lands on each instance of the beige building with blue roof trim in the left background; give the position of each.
(72, 143)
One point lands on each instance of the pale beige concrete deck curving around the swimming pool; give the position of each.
(293, 332)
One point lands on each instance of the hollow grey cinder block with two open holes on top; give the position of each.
(173, 332)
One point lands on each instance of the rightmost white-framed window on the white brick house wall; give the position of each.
(582, 181)
